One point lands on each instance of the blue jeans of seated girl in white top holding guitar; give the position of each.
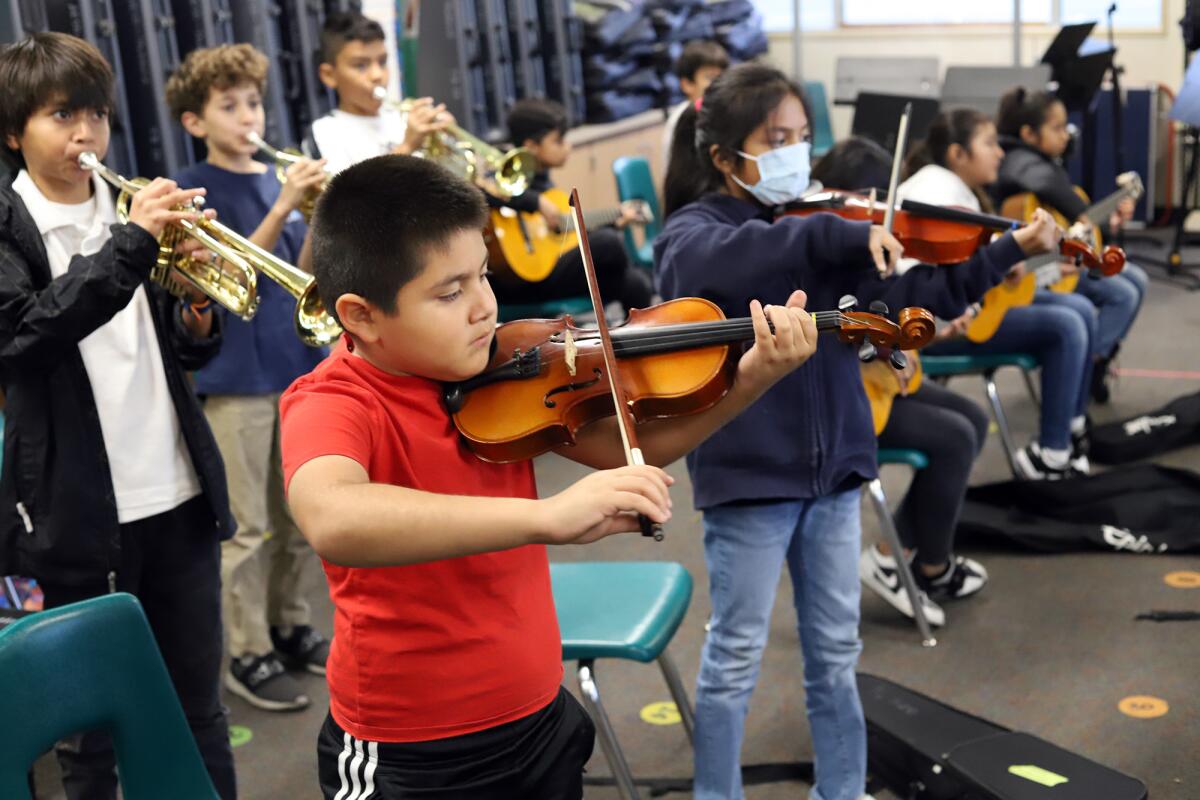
(1054, 330)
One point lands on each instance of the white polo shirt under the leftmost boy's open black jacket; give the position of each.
(151, 466)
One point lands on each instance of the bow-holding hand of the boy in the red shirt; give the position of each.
(605, 503)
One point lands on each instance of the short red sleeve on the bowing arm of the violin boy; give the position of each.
(321, 422)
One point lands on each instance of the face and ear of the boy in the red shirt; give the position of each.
(442, 322)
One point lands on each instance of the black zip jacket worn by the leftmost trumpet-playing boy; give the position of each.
(58, 509)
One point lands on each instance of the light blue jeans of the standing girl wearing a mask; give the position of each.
(746, 548)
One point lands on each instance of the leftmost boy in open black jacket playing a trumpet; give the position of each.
(112, 480)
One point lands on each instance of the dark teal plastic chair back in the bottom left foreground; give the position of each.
(95, 666)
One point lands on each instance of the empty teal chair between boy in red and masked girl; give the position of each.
(622, 610)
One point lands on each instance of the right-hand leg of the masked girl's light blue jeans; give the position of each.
(824, 562)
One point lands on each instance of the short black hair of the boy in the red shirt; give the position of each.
(377, 221)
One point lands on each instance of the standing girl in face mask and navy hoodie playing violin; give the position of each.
(781, 484)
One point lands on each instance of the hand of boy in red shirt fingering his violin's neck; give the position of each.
(776, 354)
